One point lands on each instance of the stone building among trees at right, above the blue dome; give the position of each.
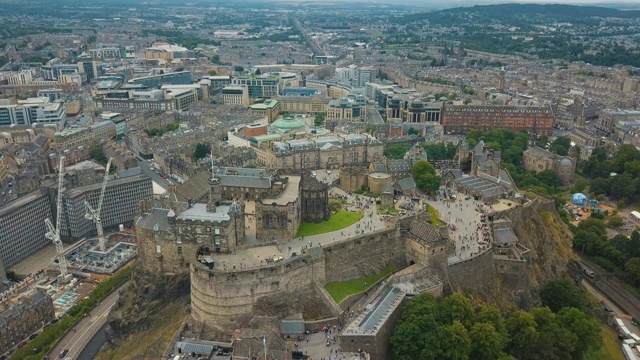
(538, 160)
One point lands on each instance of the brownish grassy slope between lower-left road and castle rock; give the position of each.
(150, 343)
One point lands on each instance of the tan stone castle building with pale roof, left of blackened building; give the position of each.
(278, 215)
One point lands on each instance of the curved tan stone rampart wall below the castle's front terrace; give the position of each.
(229, 298)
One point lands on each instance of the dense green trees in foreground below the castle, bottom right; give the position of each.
(455, 329)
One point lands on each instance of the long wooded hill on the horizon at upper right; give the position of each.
(515, 13)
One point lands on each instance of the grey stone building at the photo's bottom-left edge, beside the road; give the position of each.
(27, 315)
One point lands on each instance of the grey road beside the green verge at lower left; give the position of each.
(85, 330)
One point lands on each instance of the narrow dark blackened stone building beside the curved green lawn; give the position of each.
(315, 199)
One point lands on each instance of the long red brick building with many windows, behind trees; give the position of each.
(459, 119)
